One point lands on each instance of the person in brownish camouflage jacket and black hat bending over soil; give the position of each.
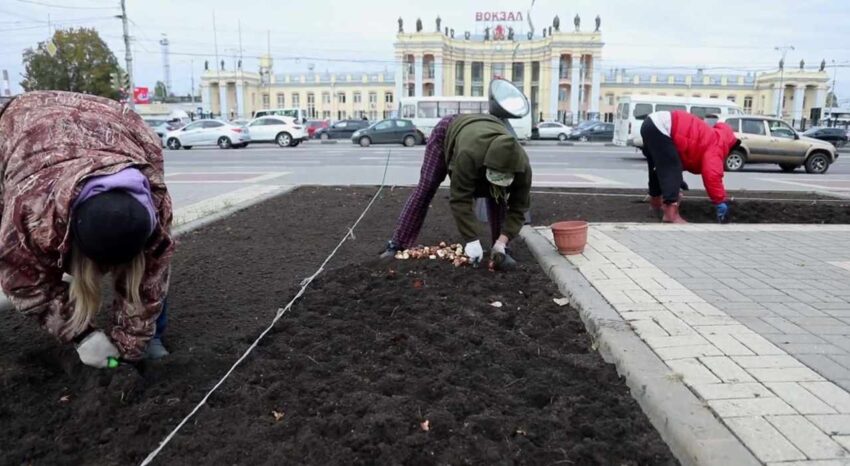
(83, 193)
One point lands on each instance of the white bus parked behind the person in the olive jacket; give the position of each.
(426, 112)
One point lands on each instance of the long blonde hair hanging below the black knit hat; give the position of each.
(85, 289)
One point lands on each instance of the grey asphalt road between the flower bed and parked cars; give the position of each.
(201, 173)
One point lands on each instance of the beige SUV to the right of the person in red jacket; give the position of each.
(770, 140)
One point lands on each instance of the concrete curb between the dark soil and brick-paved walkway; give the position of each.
(694, 435)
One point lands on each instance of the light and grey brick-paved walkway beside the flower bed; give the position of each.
(755, 319)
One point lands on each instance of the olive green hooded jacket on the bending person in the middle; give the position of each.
(473, 144)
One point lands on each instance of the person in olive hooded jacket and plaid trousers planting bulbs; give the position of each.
(483, 160)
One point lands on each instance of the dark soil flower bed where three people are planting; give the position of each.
(352, 374)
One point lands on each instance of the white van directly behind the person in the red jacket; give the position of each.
(633, 109)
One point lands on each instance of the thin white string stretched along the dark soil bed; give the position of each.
(280, 312)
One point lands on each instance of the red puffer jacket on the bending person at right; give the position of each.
(703, 150)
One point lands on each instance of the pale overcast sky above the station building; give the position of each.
(737, 35)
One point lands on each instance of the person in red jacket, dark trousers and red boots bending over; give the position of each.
(673, 141)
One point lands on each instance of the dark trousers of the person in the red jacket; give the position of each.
(663, 162)
